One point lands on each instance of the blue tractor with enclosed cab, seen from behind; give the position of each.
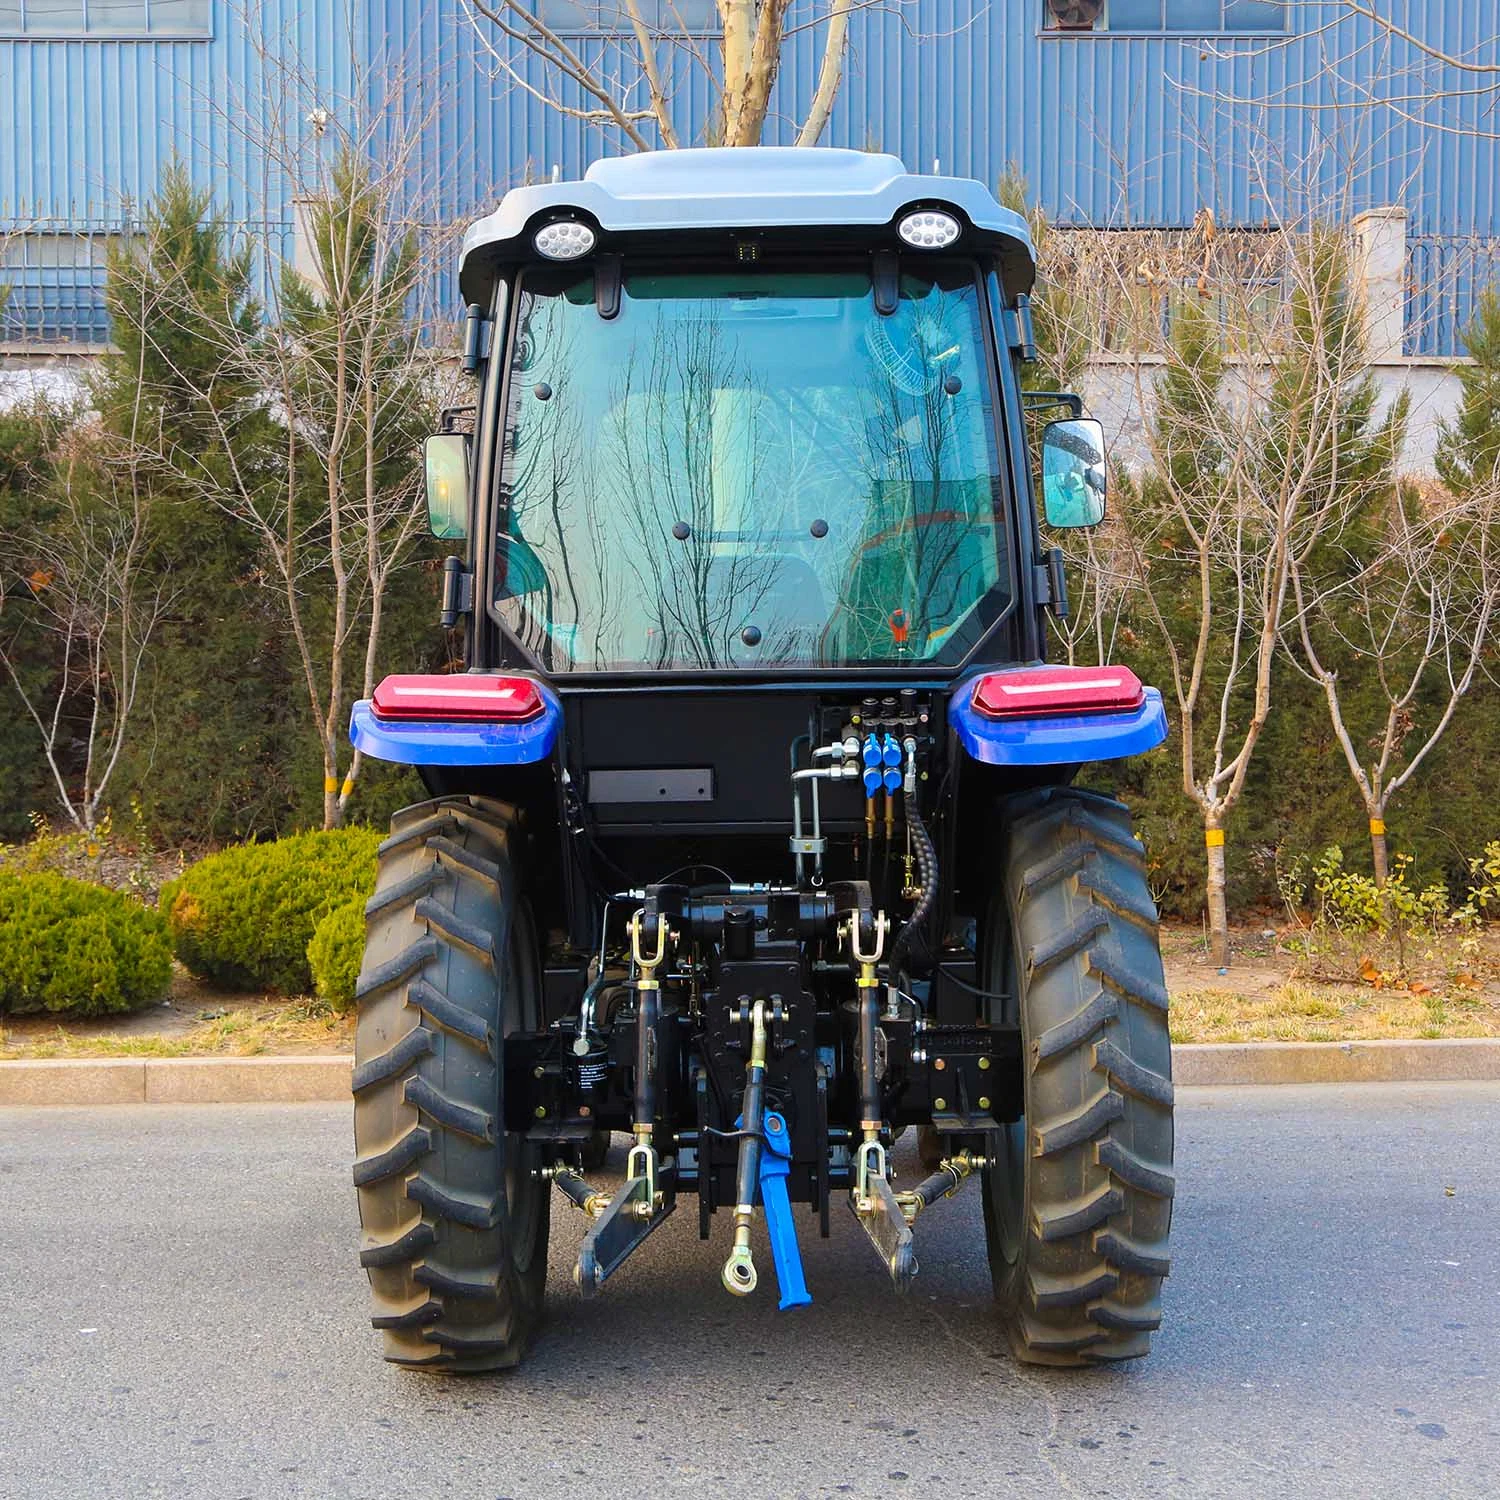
(754, 830)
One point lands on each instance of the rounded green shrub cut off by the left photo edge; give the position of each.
(77, 949)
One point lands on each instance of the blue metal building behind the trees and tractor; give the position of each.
(1138, 115)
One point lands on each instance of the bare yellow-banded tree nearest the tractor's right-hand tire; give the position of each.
(1246, 485)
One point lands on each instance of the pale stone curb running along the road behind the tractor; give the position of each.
(326, 1079)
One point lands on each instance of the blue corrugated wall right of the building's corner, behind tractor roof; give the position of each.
(1109, 130)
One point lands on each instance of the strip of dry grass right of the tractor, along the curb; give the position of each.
(1304, 1012)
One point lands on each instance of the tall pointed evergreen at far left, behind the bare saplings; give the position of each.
(175, 397)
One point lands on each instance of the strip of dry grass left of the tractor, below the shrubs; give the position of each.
(292, 1027)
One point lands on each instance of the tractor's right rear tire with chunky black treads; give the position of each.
(1079, 1205)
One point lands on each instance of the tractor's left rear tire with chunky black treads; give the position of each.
(455, 1219)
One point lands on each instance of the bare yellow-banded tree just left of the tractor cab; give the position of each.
(352, 389)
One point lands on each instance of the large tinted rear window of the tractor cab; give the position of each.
(751, 469)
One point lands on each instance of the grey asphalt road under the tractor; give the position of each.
(182, 1315)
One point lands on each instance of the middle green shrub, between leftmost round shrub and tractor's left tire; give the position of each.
(244, 919)
